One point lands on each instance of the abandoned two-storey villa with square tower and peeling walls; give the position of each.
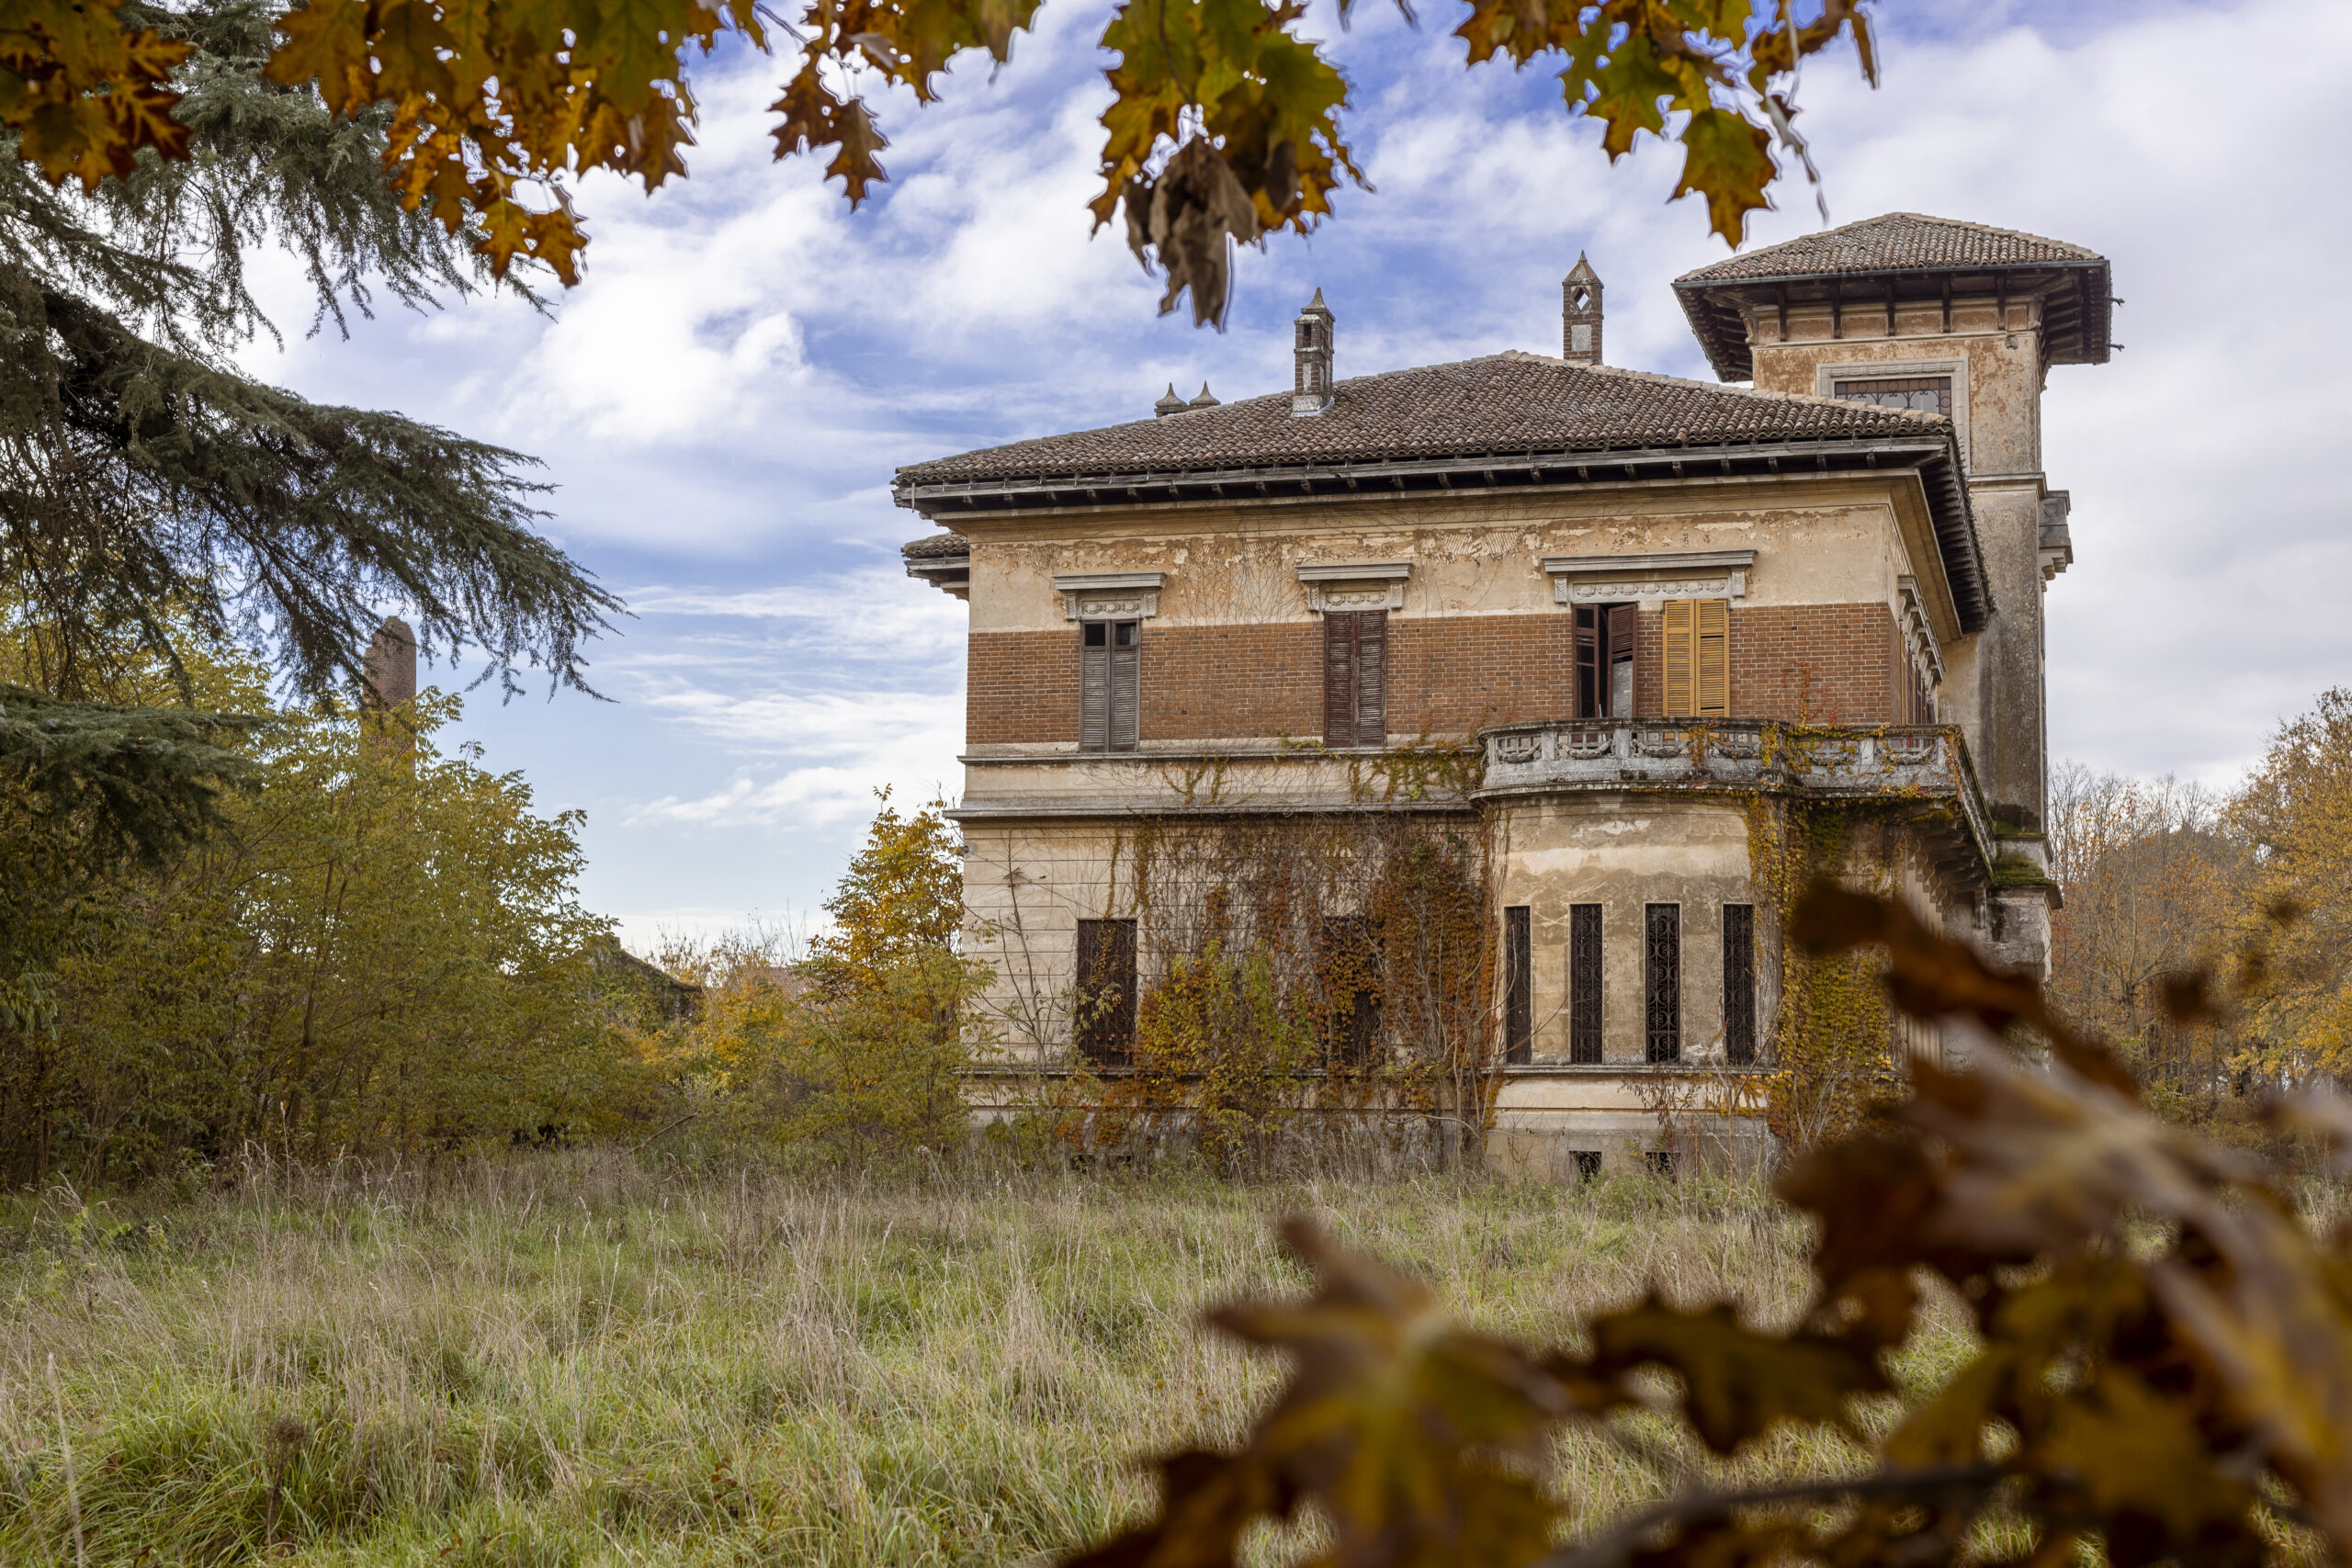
(1610, 655)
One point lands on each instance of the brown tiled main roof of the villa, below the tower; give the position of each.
(1509, 403)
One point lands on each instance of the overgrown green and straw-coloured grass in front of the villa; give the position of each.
(582, 1360)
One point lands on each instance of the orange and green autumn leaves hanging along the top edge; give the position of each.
(1224, 121)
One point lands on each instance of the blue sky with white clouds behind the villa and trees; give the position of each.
(726, 396)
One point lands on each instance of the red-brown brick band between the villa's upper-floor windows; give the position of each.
(1826, 664)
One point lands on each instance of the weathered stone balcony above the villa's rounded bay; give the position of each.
(1897, 763)
